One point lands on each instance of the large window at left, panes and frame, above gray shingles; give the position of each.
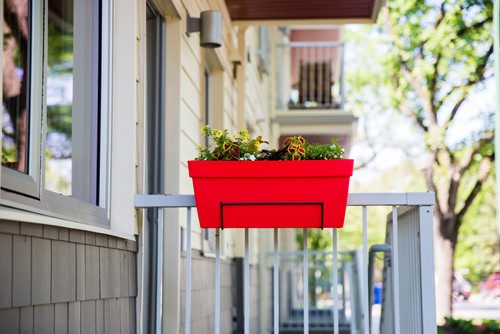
(53, 132)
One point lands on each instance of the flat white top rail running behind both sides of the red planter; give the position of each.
(355, 199)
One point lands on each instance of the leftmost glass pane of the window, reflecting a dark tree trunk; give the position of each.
(15, 114)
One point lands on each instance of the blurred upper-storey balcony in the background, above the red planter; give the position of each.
(310, 94)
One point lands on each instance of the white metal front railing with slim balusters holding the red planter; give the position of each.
(422, 202)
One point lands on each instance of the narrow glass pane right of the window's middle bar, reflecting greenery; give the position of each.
(59, 146)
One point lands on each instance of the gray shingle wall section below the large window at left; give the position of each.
(56, 280)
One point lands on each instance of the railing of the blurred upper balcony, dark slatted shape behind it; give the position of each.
(310, 75)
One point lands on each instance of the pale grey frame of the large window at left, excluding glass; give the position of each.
(27, 191)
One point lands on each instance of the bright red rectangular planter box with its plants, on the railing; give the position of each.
(238, 183)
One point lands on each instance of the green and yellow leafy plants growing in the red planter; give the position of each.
(226, 147)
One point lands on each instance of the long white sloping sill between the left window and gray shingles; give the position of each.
(7, 213)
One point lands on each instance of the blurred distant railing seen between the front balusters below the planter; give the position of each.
(321, 290)
